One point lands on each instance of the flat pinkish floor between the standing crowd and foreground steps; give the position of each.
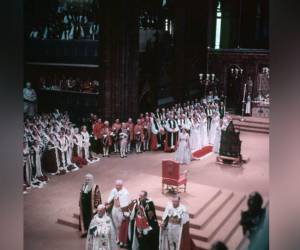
(59, 198)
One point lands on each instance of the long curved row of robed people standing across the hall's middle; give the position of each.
(53, 144)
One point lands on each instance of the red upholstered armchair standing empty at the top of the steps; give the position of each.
(171, 176)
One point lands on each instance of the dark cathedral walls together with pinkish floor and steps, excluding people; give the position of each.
(120, 58)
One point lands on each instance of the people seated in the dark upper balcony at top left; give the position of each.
(69, 22)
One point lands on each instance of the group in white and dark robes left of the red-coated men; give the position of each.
(52, 144)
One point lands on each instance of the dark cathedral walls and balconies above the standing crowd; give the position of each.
(147, 54)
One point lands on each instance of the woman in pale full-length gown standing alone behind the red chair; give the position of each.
(183, 153)
